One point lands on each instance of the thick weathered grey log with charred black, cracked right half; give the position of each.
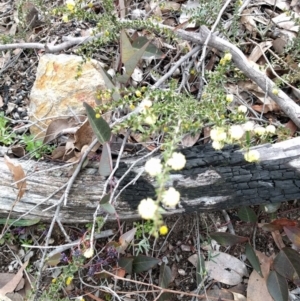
(211, 180)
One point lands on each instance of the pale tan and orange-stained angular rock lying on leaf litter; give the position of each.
(56, 91)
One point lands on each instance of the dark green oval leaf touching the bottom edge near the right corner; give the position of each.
(277, 286)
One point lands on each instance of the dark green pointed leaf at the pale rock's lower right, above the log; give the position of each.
(99, 125)
